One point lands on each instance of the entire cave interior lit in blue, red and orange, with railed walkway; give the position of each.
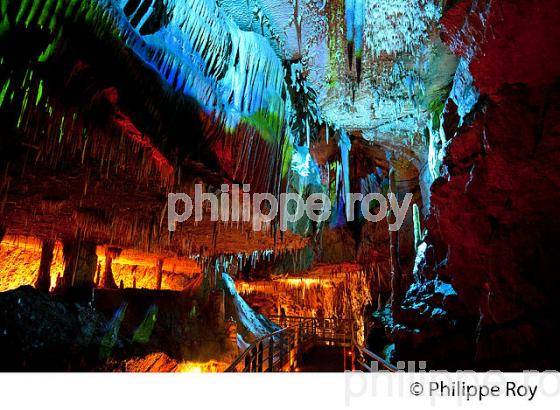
(109, 106)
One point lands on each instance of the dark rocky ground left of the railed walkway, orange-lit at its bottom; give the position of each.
(121, 330)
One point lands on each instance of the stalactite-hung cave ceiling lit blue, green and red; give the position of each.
(182, 91)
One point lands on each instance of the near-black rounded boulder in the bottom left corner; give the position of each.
(38, 333)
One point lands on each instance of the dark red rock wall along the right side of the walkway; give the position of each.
(492, 224)
